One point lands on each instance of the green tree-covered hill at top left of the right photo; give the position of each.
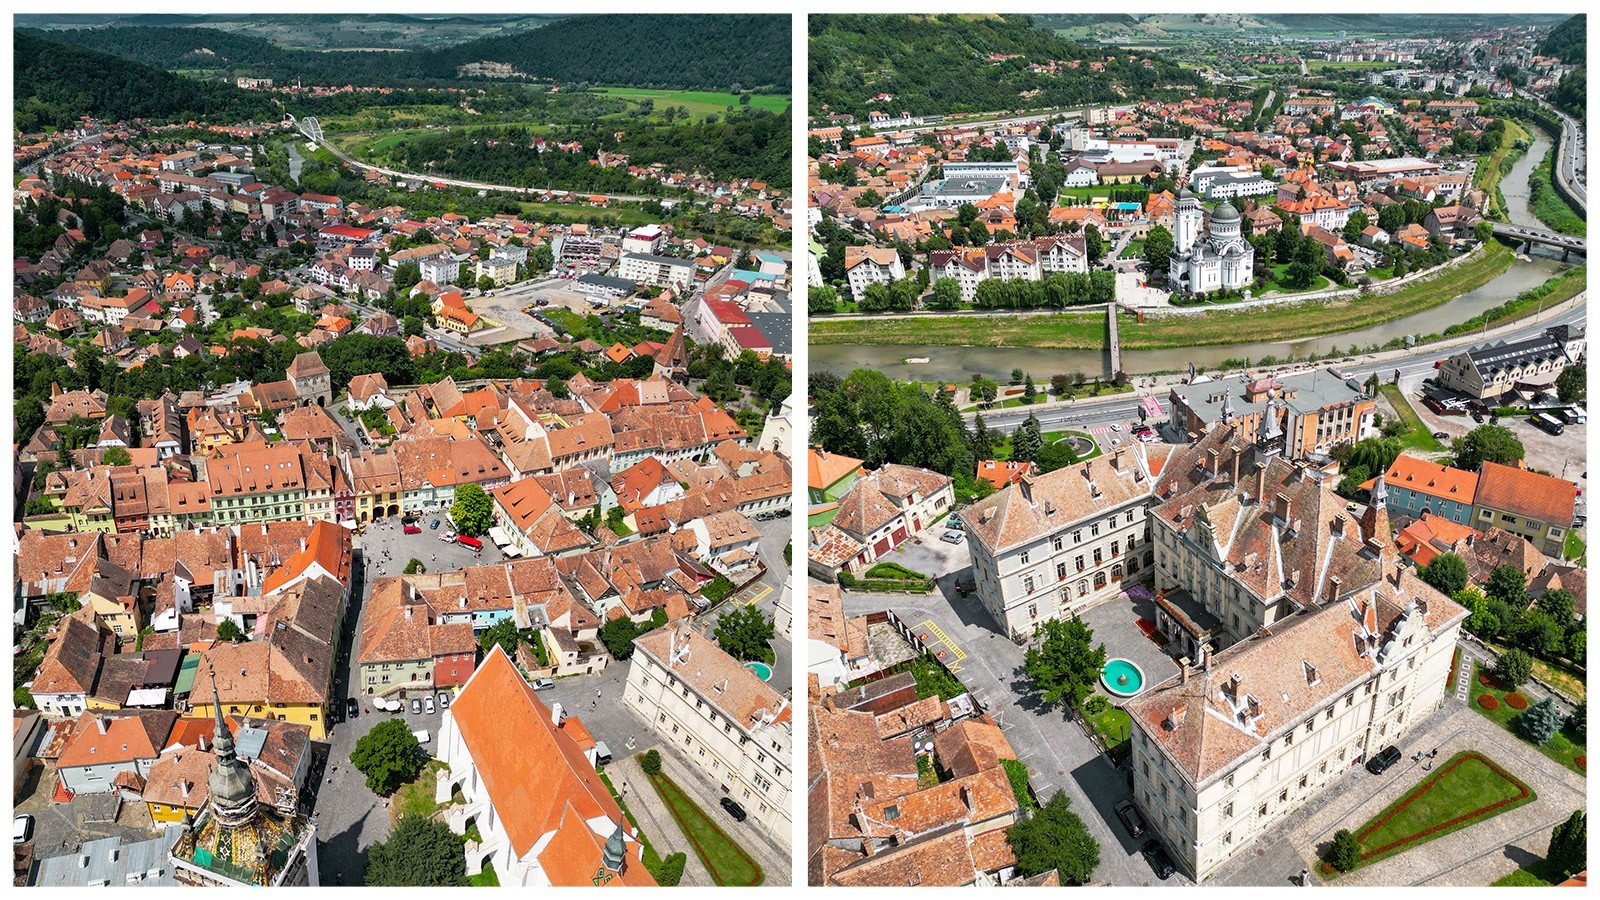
(943, 65)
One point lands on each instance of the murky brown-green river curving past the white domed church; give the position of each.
(959, 364)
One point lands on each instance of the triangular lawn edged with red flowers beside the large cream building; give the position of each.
(1463, 792)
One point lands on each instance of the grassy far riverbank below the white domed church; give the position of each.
(1087, 331)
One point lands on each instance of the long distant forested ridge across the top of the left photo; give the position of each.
(670, 50)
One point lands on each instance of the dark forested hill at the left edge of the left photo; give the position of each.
(57, 84)
